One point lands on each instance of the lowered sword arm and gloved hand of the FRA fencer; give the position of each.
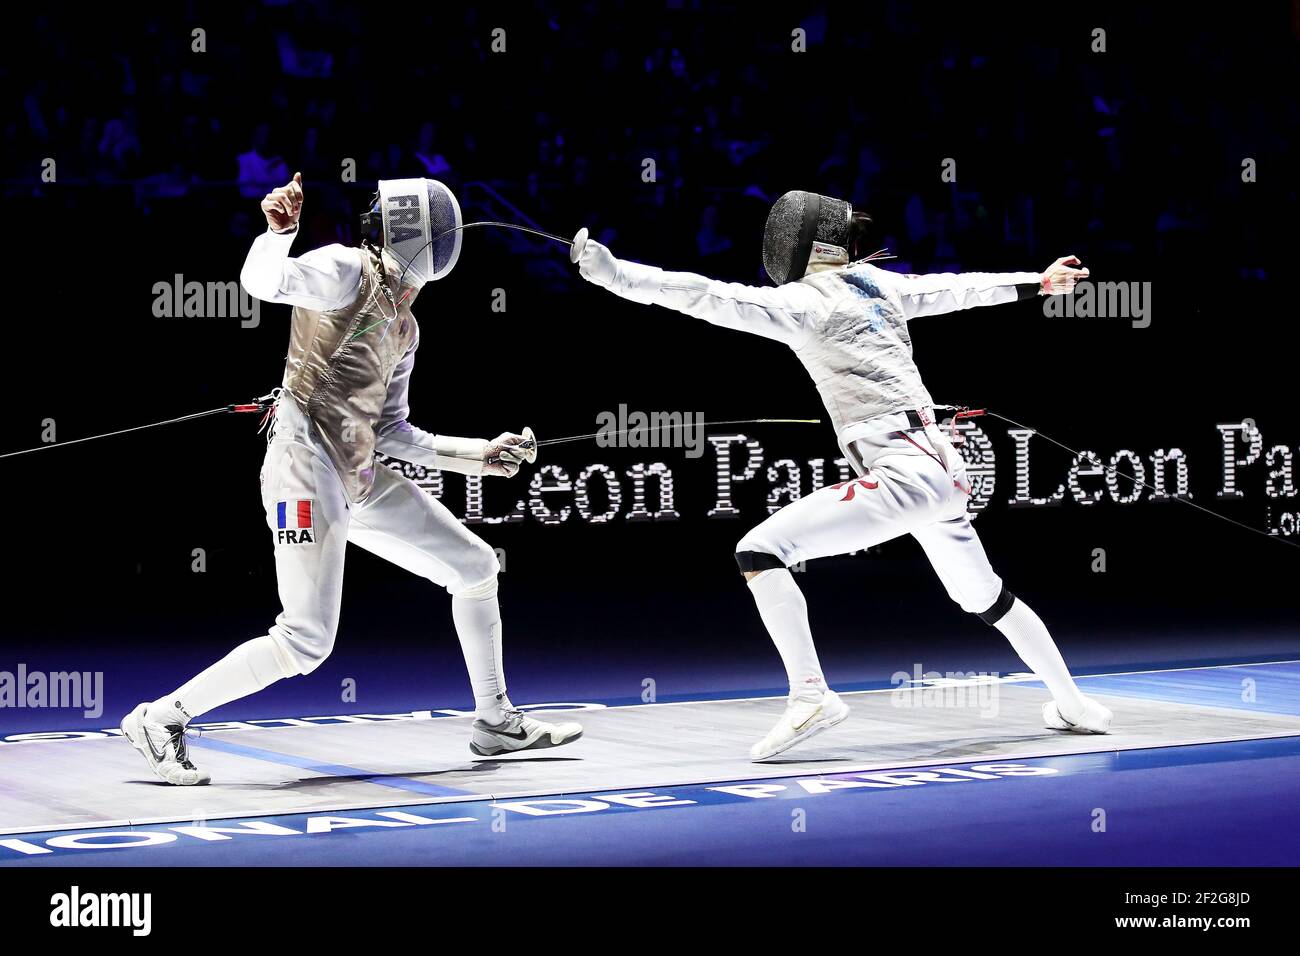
(400, 439)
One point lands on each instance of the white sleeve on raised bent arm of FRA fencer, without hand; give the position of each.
(323, 280)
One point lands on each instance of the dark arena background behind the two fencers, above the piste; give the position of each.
(1130, 159)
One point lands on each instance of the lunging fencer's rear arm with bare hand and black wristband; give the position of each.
(950, 292)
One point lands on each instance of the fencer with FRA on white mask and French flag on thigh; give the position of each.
(352, 353)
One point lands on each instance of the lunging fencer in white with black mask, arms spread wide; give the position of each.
(847, 322)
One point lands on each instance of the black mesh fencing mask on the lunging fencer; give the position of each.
(804, 227)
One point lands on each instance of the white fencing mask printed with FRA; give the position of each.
(405, 217)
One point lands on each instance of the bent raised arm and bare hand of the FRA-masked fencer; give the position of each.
(324, 279)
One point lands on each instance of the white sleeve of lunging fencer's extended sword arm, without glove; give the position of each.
(787, 313)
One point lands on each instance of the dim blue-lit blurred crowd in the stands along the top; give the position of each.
(670, 128)
